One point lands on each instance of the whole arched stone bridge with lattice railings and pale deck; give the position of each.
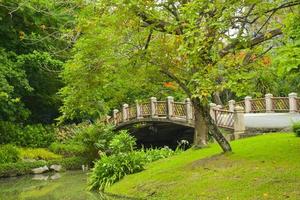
(267, 112)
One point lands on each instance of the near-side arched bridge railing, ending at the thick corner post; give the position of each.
(169, 110)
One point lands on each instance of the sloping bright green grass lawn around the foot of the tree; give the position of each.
(261, 167)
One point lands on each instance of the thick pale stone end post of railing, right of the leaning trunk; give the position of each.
(239, 121)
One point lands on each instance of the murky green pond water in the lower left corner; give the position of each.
(69, 185)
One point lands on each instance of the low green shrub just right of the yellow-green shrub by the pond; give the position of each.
(68, 149)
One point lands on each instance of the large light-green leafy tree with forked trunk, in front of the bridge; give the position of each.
(205, 47)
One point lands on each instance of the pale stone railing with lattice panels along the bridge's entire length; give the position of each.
(231, 116)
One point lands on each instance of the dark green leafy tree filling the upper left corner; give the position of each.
(39, 34)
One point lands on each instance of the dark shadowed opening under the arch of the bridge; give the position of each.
(159, 134)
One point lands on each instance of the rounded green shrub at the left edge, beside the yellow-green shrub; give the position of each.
(9, 154)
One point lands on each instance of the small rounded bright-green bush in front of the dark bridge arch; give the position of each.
(122, 143)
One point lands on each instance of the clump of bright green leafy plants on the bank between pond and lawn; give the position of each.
(123, 160)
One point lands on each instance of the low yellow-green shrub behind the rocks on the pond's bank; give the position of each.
(38, 154)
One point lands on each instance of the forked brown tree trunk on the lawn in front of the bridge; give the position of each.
(204, 124)
